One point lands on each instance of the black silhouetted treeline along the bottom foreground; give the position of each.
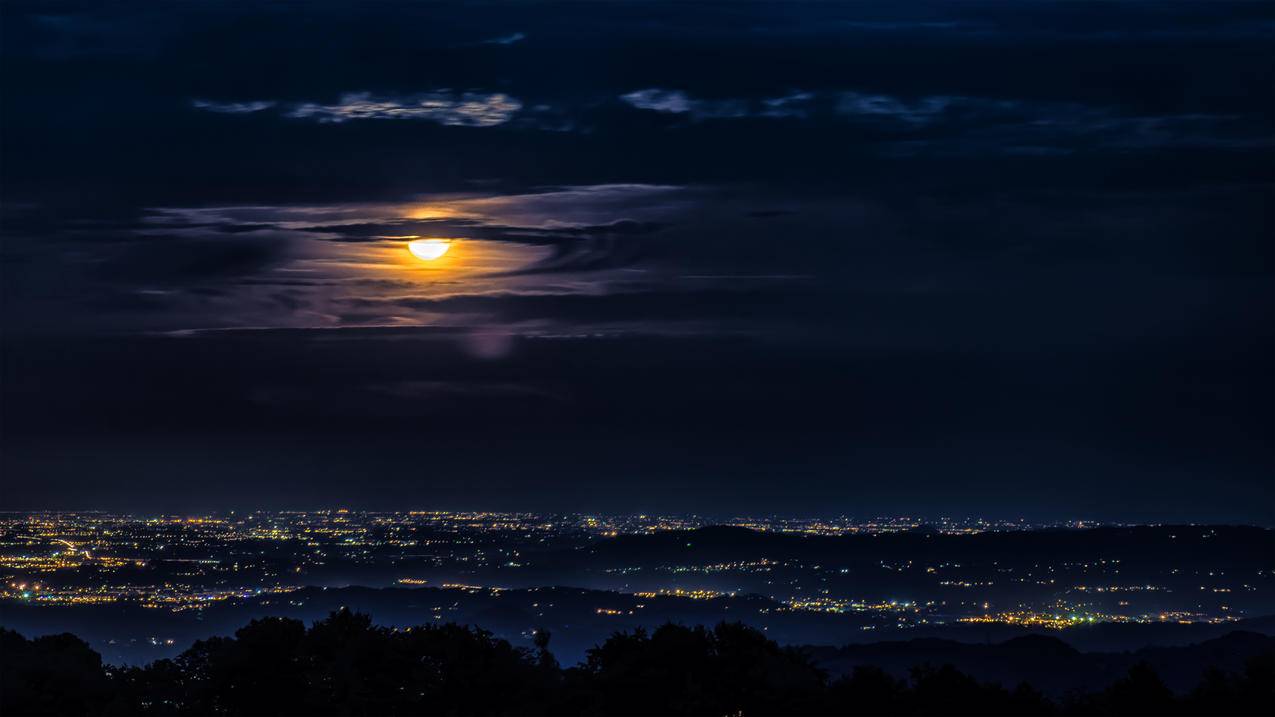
(346, 665)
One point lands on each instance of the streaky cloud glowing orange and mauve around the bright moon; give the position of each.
(340, 266)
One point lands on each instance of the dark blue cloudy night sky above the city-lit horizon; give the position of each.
(996, 260)
